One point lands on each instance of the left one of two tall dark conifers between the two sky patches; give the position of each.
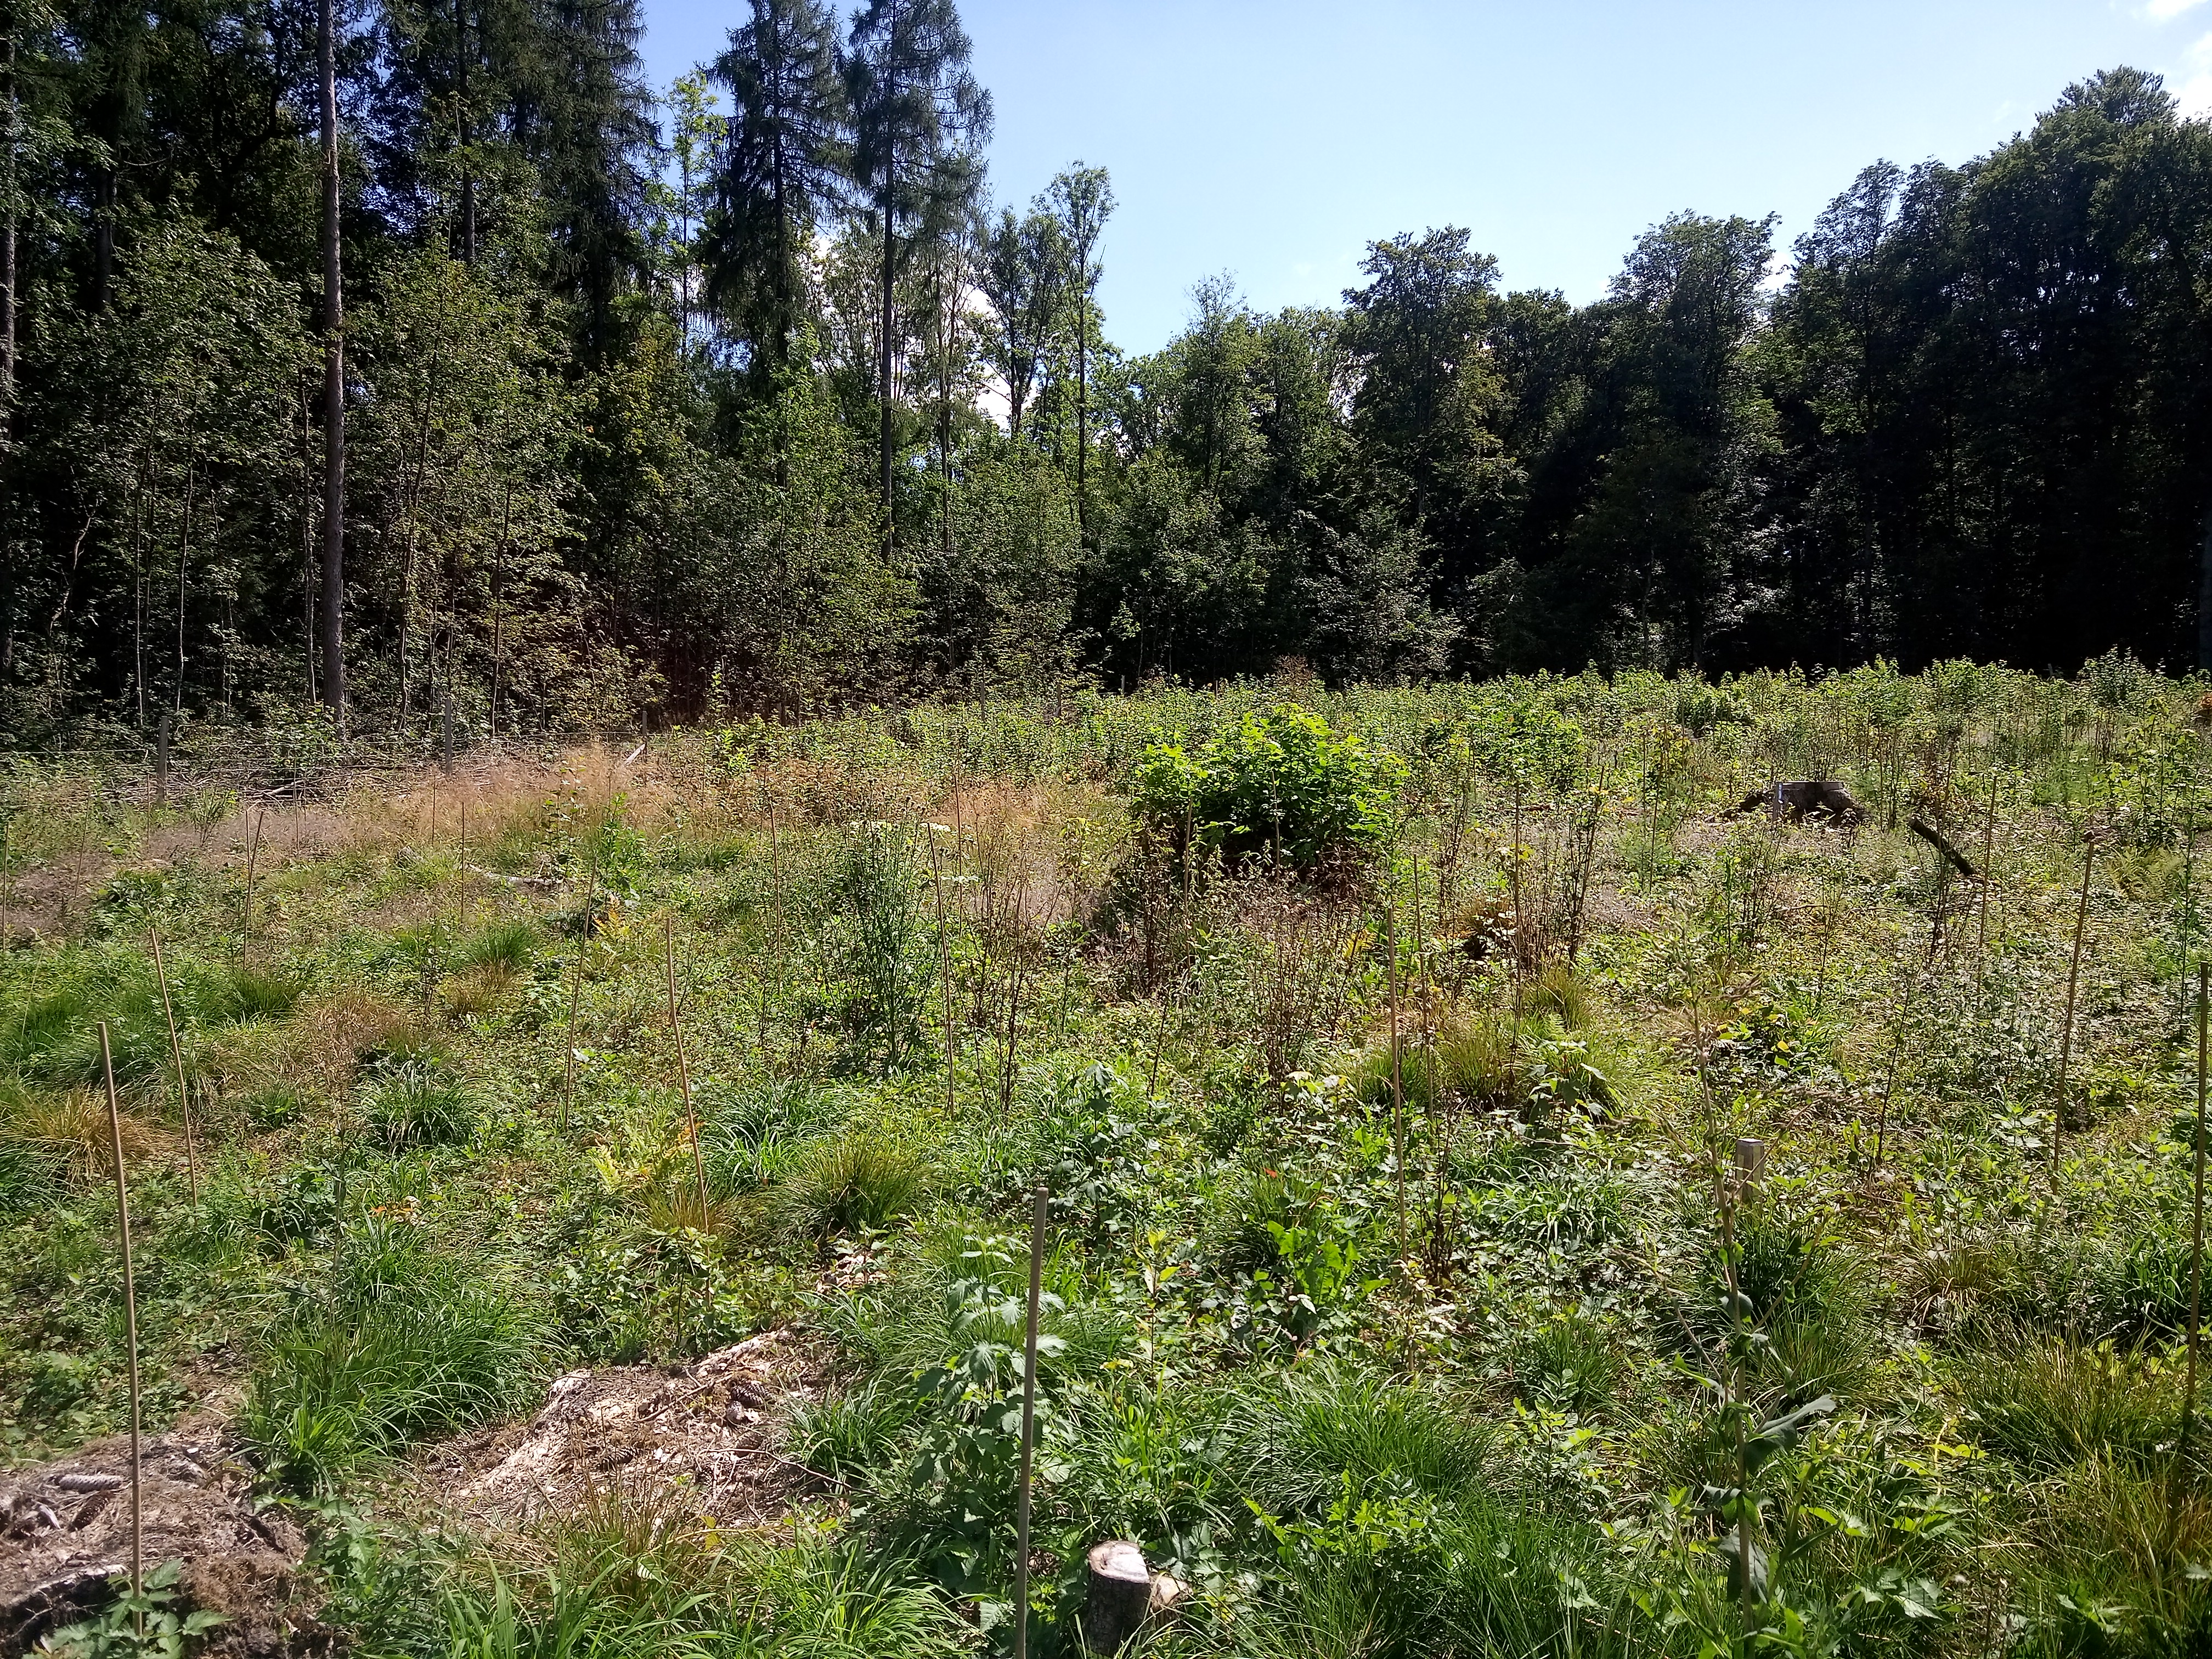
(782, 171)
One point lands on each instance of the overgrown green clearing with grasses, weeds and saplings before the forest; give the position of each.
(1510, 1189)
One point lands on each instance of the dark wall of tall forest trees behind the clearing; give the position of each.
(751, 397)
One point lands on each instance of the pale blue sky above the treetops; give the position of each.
(1277, 140)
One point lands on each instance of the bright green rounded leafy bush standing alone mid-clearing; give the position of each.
(1280, 784)
